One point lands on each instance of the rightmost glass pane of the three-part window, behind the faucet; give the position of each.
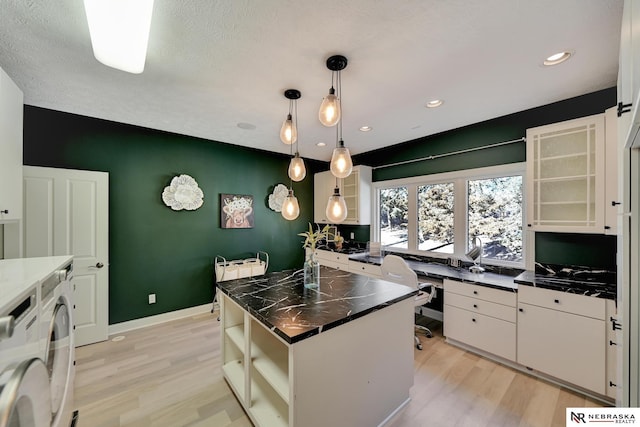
(495, 216)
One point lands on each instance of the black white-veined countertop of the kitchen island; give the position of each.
(280, 301)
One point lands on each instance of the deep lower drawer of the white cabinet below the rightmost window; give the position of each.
(483, 332)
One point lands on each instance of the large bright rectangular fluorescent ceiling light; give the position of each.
(120, 32)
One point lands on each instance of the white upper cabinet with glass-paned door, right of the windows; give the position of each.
(565, 176)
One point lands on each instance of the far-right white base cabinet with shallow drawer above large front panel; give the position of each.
(563, 335)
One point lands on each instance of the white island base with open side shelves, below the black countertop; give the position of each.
(281, 384)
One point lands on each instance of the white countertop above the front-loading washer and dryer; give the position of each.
(18, 276)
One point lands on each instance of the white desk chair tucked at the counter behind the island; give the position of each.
(395, 269)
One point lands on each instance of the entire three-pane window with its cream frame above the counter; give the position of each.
(438, 215)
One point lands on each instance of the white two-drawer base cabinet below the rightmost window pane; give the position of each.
(481, 317)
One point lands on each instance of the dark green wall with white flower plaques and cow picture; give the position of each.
(153, 249)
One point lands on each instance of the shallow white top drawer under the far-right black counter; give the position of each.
(563, 301)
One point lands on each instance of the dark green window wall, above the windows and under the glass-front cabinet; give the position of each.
(593, 250)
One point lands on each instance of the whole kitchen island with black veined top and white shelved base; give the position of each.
(340, 355)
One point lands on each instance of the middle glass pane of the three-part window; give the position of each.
(435, 217)
